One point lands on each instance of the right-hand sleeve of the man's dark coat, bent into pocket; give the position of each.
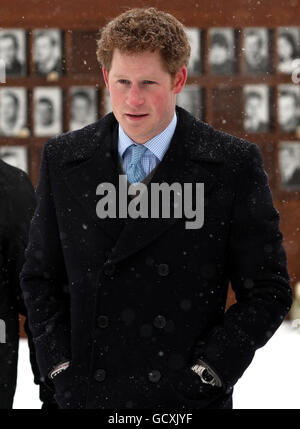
(257, 270)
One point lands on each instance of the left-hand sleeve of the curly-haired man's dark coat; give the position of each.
(44, 280)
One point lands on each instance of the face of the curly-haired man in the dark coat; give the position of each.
(142, 96)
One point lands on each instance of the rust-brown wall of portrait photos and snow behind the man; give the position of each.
(244, 76)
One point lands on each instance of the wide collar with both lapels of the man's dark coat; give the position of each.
(191, 157)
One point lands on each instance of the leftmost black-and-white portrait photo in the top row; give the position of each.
(13, 51)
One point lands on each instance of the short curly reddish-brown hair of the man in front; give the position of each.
(145, 29)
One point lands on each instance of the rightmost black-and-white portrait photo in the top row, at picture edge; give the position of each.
(288, 47)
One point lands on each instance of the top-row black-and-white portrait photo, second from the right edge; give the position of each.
(257, 50)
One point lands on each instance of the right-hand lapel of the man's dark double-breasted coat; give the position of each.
(184, 161)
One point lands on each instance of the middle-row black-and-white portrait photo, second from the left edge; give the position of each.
(47, 111)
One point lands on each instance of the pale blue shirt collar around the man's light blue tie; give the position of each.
(158, 144)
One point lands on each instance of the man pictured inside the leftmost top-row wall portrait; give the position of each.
(9, 48)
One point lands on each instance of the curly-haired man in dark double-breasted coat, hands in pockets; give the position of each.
(128, 312)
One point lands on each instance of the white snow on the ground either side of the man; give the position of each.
(272, 380)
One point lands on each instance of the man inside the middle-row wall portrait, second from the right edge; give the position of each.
(253, 113)
